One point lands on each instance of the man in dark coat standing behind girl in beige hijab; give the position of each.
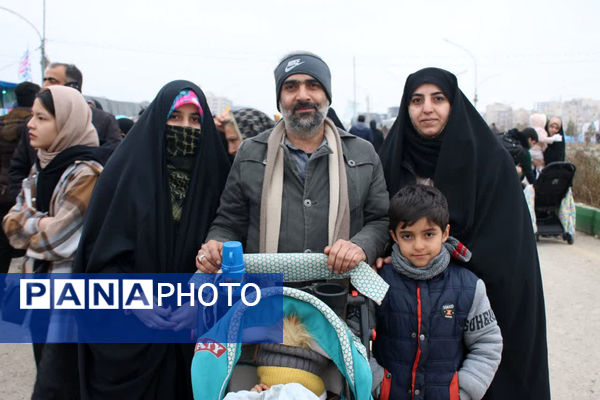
(106, 125)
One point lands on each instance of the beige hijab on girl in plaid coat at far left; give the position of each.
(73, 123)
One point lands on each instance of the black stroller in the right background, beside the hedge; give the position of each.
(552, 192)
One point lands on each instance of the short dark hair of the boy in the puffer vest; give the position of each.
(414, 202)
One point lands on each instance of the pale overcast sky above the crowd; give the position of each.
(525, 51)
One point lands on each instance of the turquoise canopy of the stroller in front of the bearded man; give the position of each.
(213, 362)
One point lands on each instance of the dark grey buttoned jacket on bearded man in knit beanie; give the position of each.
(305, 205)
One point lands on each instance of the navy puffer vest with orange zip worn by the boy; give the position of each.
(420, 327)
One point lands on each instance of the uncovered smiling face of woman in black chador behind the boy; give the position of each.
(429, 110)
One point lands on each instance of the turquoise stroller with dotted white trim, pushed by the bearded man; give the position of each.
(349, 374)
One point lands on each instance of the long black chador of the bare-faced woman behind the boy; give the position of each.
(488, 213)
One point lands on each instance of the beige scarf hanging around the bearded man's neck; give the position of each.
(272, 192)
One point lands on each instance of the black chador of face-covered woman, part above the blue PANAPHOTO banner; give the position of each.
(129, 227)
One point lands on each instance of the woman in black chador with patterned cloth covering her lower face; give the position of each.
(150, 212)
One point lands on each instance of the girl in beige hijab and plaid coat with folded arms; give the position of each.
(47, 218)
